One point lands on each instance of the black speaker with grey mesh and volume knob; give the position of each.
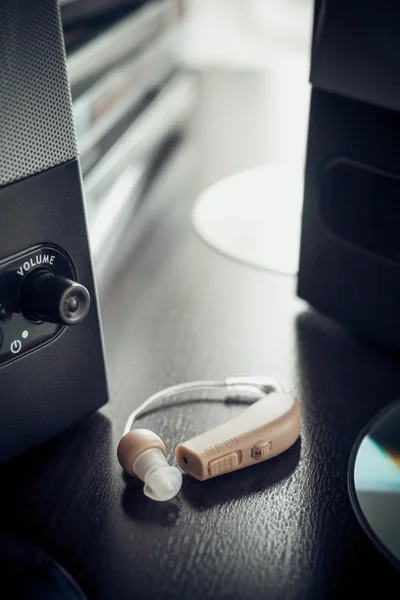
(52, 369)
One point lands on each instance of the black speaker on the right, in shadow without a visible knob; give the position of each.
(350, 247)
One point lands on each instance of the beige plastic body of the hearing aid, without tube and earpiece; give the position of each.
(265, 429)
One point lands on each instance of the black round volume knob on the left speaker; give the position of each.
(46, 296)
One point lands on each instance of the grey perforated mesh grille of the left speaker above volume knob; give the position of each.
(36, 123)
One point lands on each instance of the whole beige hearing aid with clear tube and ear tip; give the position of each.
(268, 427)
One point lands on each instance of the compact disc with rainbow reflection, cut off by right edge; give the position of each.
(374, 481)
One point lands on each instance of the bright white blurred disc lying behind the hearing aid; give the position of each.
(254, 217)
